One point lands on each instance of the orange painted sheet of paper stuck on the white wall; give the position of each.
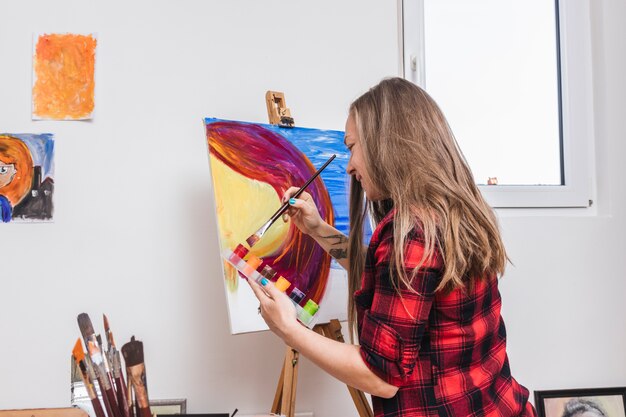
(64, 77)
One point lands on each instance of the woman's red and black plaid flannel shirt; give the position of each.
(445, 352)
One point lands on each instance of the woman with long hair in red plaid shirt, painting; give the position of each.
(426, 303)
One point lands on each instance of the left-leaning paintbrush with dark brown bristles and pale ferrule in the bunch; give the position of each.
(104, 379)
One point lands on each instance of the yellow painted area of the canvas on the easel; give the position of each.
(243, 205)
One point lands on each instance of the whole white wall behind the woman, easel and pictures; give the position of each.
(134, 235)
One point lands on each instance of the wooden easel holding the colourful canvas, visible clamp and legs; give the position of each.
(285, 398)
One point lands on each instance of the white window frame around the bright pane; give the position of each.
(576, 106)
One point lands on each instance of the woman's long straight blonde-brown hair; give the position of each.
(414, 161)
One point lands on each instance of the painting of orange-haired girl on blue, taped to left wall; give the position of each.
(26, 177)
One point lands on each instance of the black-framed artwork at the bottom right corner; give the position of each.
(591, 402)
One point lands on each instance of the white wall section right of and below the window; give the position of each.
(564, 299)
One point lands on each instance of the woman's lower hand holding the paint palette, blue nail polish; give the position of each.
(276, 308)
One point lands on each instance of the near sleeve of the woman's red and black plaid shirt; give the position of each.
(393, 327)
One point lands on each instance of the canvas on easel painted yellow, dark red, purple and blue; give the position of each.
(252, 165)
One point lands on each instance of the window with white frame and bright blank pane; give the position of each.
(515, 84)
